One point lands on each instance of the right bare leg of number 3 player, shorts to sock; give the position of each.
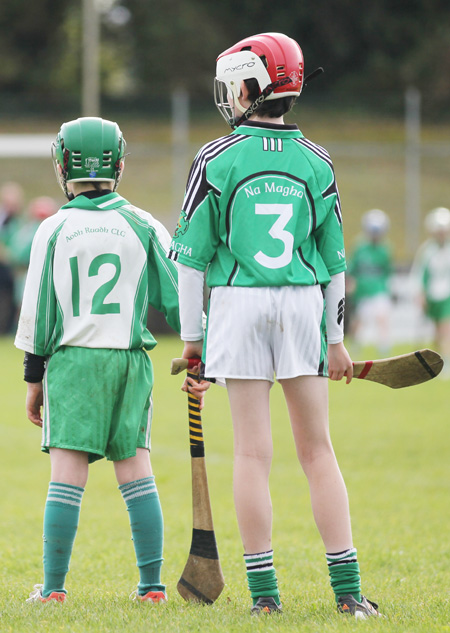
(307, 401)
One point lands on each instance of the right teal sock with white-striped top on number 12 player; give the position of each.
(146, 520)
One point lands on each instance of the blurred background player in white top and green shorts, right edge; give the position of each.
(431, 278)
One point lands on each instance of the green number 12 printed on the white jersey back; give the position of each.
(98, 300)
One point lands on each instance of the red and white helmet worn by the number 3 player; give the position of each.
(273, 59)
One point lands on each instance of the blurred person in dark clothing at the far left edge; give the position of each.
(11, 206)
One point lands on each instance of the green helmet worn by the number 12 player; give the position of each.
(88, 149)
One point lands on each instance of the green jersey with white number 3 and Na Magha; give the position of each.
(261, 209)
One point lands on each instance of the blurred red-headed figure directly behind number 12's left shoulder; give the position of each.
(18, 247)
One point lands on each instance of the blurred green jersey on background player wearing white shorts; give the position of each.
(371, 266)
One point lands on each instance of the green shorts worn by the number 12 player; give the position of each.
(98, 401)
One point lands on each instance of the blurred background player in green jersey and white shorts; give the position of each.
(368, 276)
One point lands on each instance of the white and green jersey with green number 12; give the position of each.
(94, 268)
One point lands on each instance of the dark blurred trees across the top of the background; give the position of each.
(371, 52)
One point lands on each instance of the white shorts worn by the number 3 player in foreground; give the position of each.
(256, 333)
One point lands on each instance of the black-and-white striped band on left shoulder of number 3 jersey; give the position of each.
(197, 185)
